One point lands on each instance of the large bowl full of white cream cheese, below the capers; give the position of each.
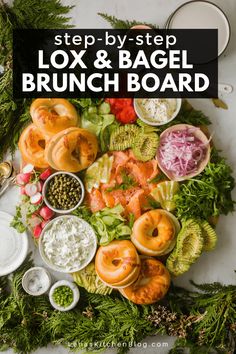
(67, 244)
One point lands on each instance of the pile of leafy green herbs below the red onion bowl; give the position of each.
(208, 194)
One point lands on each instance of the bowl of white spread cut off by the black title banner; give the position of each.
(157, 111)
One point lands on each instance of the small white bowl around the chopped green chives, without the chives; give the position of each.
(73, 287)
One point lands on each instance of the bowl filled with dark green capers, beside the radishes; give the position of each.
(63, 192)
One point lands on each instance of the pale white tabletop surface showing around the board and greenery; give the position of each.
(218, 265)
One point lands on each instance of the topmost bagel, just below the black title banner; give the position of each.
(52, 115)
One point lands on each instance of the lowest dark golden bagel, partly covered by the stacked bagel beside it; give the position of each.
(152, 284)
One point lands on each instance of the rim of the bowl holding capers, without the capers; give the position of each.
(45, 186)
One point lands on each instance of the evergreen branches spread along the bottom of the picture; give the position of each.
(204, 320)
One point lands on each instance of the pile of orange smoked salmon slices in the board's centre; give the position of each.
(134, 199)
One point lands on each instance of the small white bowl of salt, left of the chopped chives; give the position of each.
(36, 276)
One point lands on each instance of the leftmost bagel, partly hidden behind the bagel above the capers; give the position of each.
(32, 145)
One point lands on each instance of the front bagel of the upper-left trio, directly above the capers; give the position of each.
(72, 150)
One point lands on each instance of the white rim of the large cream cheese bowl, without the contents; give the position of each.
(64, 269)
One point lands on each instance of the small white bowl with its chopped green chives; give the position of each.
(64, 295)
